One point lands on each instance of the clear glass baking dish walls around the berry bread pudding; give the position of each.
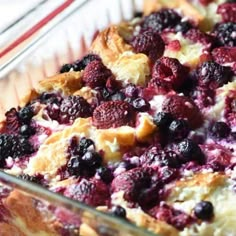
(27, 206)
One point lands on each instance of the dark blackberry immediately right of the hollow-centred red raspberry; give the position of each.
(212, 74)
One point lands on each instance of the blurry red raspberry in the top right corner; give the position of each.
(227, 12)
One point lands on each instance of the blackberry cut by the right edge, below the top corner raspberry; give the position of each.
(225, 33)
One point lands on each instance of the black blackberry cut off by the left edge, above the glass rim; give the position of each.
(13, 146)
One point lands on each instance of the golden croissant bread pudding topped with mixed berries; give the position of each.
(143, 127)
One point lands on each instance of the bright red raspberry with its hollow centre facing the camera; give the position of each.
(170, 70)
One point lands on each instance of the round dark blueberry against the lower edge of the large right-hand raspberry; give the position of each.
(178, 129)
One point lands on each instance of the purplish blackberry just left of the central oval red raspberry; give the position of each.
(73, 107)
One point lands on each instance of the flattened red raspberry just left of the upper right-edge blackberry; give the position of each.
(196, 35)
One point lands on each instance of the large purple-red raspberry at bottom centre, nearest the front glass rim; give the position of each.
(132, 182)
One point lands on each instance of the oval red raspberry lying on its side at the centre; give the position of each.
(113, 114)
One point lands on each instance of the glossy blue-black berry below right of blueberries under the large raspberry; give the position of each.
(189, 151)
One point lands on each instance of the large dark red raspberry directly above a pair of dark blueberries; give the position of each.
(182, 107)
